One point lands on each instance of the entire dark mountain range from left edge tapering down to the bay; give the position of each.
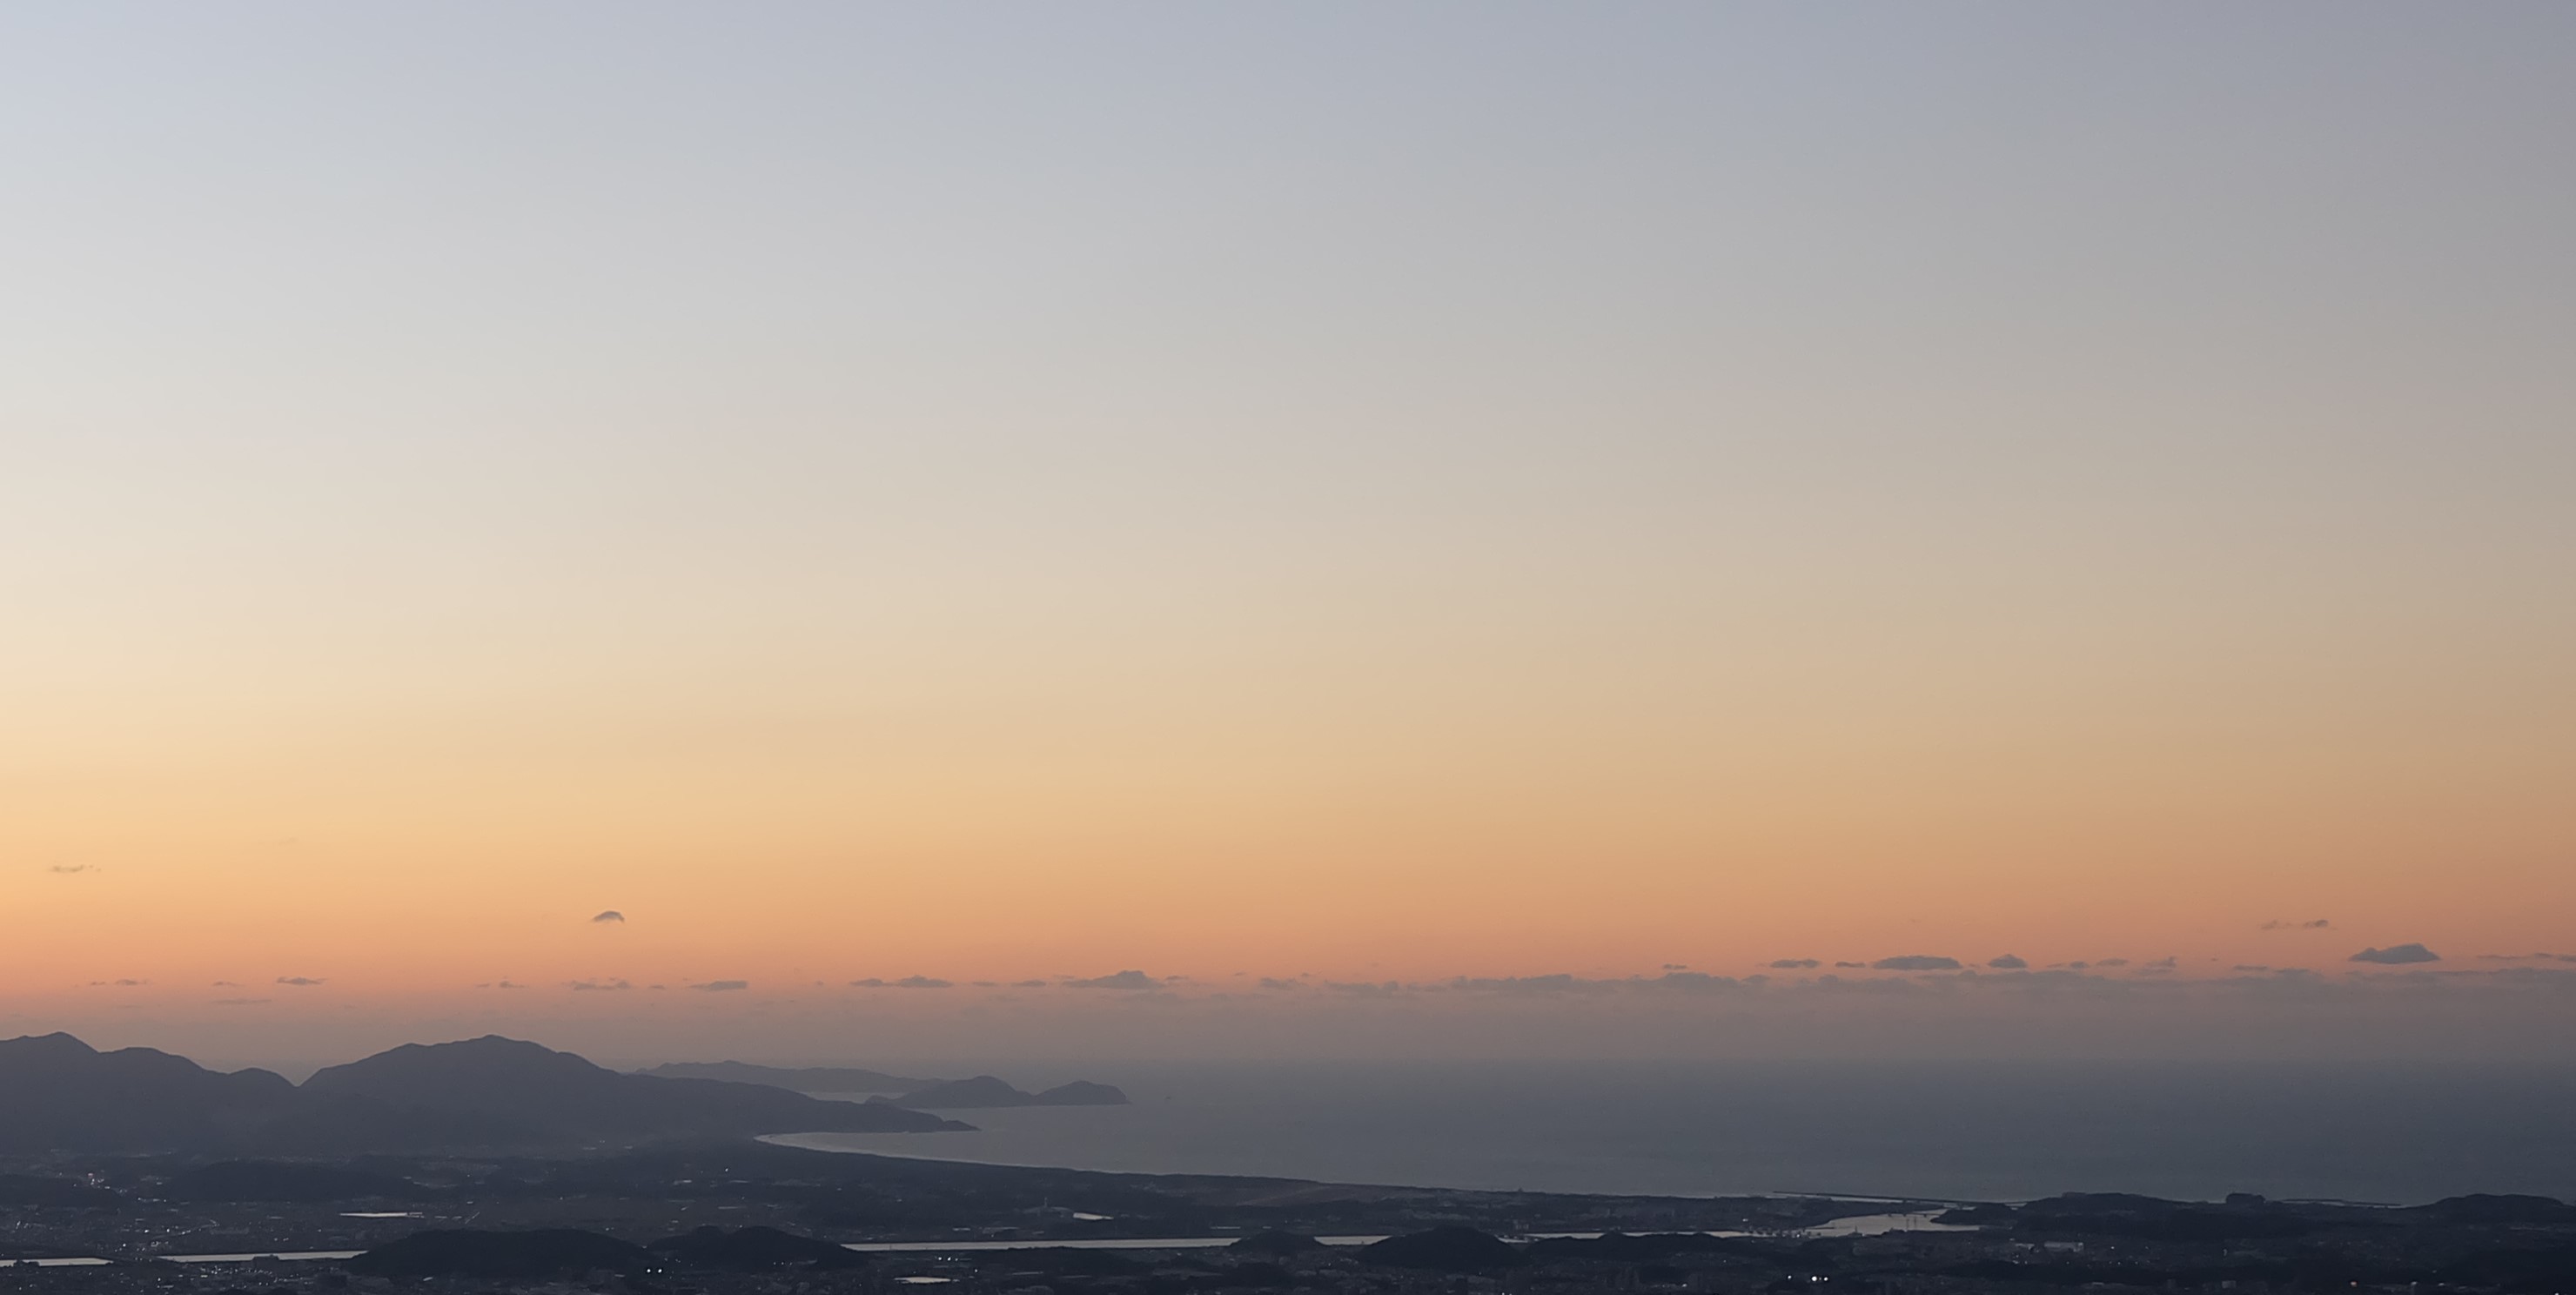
(478, 1095)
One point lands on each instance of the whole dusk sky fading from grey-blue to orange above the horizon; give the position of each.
(1516, 506)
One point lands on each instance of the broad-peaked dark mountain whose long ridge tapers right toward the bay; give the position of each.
(563, 1095)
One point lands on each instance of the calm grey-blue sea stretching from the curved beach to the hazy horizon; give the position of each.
(1949, 1132)
